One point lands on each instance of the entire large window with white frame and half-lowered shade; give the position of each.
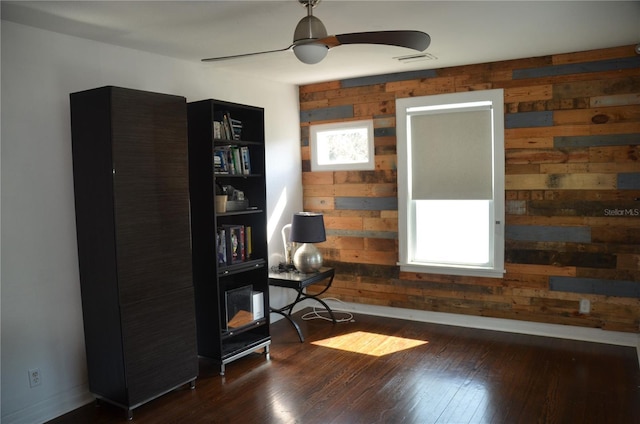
(451, 183)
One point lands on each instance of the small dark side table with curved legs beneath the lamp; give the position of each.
(298, 281)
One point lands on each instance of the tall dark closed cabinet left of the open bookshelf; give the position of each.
(130, 171)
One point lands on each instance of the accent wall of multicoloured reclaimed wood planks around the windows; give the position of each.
(572, 137)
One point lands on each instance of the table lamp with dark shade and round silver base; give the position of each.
(307, 228)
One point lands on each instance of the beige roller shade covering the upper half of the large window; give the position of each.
(451, 155)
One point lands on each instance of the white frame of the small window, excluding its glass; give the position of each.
(360, 166)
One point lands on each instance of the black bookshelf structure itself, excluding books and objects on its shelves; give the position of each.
(212, 279)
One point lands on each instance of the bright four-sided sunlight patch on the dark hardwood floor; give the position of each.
(369, 343)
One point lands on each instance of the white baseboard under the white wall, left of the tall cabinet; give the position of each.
(50, 408)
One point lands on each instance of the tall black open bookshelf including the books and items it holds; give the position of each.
(232, 291)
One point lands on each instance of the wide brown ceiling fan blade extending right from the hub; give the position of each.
(416, 40)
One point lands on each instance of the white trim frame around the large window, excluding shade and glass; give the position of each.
(406, 218)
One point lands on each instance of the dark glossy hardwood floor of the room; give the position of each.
(458, 376)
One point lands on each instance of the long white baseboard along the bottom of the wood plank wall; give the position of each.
(486, 323)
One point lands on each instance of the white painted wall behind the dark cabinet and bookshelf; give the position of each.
(40, 290)
